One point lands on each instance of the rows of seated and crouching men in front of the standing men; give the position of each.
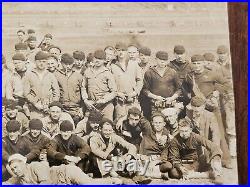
(172, 148)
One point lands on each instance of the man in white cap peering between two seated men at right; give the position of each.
(171, 117)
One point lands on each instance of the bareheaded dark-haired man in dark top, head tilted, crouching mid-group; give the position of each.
(133, 127)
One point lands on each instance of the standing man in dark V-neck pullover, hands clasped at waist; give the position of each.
(161, 83)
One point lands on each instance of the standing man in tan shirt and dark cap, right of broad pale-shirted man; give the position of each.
(70, 83)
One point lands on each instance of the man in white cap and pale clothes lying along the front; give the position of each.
(40, 173)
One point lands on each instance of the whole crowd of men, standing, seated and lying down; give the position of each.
(65, 115)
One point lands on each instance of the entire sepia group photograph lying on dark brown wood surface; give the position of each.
(117, 93)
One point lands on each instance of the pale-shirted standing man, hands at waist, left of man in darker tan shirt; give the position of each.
(40, 87)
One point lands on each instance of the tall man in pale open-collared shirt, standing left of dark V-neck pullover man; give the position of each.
(129, 81)
